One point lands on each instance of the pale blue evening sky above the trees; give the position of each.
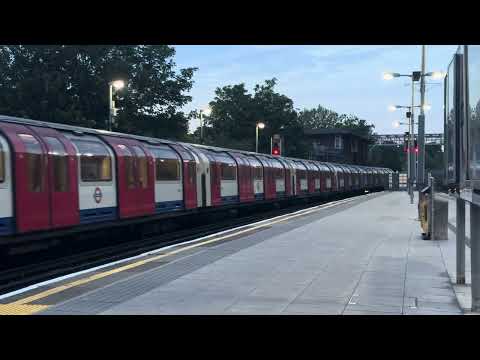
(343, 78)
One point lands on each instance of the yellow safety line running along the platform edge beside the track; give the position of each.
(43, 294)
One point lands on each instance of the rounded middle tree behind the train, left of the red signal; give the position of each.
(235, 113)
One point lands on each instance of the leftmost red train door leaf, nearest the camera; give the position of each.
(32, 200)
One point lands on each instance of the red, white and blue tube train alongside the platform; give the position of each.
(55, 177)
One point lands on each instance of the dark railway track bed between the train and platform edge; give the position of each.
(21, 276)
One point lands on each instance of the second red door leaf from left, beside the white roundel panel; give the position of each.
(62, 178)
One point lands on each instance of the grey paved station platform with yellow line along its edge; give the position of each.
(362, 255)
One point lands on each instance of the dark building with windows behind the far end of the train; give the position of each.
(338, 145)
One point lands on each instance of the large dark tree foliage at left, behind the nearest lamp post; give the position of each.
(69, 84)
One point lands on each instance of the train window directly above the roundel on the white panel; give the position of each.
(95, 161)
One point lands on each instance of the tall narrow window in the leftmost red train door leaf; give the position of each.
(34, 161)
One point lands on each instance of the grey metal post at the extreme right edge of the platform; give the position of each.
(475, 255)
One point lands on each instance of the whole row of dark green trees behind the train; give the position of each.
(69, 84)
